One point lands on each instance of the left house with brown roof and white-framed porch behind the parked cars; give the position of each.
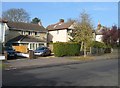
(25, 34)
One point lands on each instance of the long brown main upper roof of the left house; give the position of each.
(25, 26)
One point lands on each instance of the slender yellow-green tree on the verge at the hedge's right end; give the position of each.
(83, 31)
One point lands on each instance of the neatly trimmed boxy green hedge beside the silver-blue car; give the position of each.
(66, 49)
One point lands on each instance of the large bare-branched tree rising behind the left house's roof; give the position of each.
(16, 15)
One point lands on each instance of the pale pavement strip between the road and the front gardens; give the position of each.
(49, 61)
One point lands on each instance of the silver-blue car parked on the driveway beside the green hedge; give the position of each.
(42, 51)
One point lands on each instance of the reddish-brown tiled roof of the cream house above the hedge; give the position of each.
(59, 26)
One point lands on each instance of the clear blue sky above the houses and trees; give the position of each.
(50, 12)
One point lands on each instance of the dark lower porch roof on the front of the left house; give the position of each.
(25, 38)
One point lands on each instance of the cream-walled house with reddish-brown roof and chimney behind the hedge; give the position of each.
(60, 32)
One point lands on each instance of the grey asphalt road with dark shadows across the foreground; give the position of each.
(94, 73)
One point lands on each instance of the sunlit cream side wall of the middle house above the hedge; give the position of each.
(58, 35)
